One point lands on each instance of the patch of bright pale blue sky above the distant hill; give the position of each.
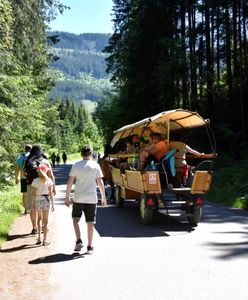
(85, 16)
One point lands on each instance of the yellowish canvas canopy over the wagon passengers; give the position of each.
(163, 123)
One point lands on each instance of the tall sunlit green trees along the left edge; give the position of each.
(24, 82)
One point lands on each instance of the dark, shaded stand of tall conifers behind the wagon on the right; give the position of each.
(184, 54)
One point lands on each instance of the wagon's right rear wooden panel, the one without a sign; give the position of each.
(201, 182)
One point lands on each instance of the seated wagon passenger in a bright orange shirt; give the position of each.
(154, 151)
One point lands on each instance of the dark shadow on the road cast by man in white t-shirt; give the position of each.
(55, 258)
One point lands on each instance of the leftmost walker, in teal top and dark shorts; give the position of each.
(19, 173)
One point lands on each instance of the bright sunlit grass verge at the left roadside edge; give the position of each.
(10, 209)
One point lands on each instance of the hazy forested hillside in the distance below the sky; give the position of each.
(81, 68)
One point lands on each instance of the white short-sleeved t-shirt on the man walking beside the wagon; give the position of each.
(86, 172)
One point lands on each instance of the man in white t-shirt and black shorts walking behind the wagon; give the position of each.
(88, 175)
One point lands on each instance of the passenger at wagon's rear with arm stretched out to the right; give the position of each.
(182, 168)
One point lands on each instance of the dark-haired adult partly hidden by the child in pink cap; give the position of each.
(35, 158)
